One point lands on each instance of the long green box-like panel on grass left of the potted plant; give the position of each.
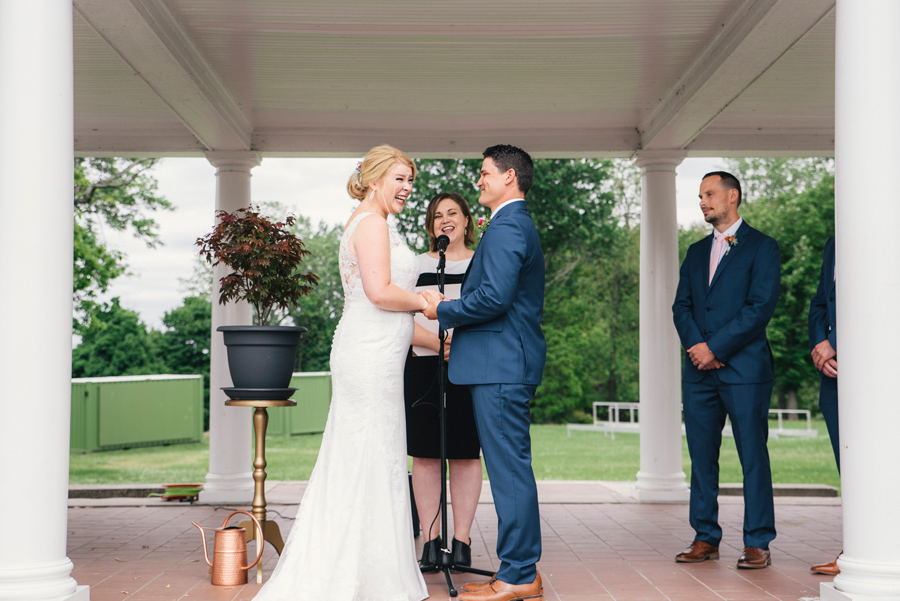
(134, 411)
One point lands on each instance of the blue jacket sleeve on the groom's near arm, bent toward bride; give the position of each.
(503, 255)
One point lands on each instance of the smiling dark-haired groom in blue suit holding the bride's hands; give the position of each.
(499, 351)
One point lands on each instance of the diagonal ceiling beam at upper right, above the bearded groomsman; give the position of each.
(753, 38)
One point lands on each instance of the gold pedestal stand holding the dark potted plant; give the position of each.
(271, 531)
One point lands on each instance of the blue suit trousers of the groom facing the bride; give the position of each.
(503, 418)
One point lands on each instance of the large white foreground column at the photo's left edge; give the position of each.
(36, 218)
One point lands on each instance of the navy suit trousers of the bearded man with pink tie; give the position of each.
(706, 404)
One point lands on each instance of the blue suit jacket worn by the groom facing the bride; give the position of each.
(497, 336)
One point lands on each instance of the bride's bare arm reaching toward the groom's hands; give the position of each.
(371, 244)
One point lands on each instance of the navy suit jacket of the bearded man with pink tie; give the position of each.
(731, 313)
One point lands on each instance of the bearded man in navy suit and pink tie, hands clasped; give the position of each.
(726, 296)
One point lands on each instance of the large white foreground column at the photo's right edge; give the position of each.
(867, 152)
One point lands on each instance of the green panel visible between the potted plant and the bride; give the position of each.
(313, 398)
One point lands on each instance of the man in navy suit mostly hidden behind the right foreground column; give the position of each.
(823, 346)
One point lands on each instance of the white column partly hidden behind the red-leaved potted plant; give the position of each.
(230, 477)
